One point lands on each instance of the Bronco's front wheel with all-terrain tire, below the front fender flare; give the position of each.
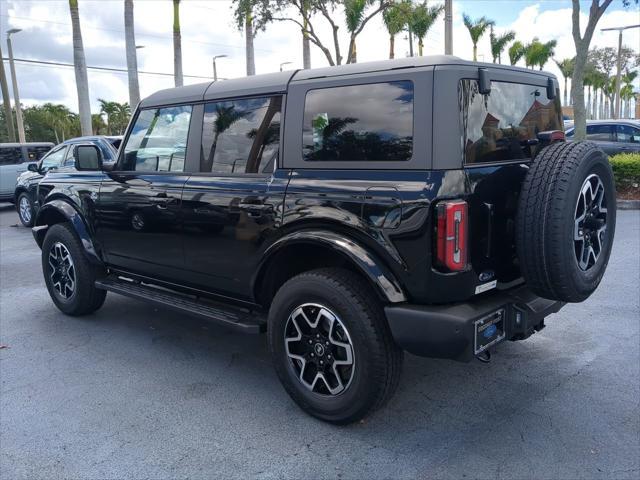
(84, 297)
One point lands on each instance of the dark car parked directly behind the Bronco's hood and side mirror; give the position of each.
(25, 190)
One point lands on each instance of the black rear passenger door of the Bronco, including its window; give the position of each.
(231, 203)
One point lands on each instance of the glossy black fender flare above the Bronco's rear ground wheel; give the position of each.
(379, 275)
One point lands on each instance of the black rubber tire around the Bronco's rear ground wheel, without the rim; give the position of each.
(377, 360)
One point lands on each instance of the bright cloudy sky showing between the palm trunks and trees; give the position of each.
(208, 29)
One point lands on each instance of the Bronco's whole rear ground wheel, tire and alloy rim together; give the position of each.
(331, 346)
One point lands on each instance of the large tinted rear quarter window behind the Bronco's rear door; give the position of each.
(359, 123)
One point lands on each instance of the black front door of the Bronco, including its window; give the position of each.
(138, 212)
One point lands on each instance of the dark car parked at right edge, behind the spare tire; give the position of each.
(612, 136)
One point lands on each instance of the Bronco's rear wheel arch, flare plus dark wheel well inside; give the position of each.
(307, 250)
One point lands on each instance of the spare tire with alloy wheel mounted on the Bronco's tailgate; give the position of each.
(566, 221)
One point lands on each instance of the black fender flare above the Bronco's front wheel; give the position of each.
(60, 208)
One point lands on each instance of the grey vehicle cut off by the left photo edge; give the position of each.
(14, 160)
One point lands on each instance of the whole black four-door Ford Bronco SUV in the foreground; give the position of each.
(426, 204)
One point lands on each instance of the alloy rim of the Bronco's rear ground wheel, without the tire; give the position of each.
(320, 350)
